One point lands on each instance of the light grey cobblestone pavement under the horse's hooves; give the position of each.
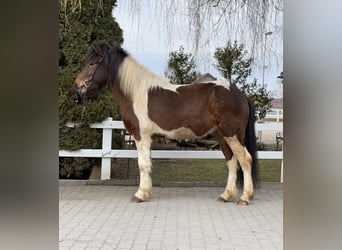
(102, 217)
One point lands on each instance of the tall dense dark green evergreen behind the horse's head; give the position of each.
(80, 23)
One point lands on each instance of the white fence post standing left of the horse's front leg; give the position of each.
(106, 148)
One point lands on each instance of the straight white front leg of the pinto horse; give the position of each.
(145, 167)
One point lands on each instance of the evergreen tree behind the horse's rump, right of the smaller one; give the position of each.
(234, 66)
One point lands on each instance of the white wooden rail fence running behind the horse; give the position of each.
(106, 152)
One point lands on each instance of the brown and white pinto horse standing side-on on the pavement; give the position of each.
(151, 105)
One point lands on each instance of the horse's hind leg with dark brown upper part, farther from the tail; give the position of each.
(230, 193)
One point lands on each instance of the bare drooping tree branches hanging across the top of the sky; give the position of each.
(204, 21)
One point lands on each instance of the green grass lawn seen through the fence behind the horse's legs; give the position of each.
(212, 171)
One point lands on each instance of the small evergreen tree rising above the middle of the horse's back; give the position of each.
(181, 67)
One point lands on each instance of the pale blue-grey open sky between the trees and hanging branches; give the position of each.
(150, 44)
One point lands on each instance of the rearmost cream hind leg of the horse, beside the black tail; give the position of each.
(245, 160)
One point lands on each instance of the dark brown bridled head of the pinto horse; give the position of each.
(91, 81)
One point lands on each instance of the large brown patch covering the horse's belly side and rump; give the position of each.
(199, 107)
